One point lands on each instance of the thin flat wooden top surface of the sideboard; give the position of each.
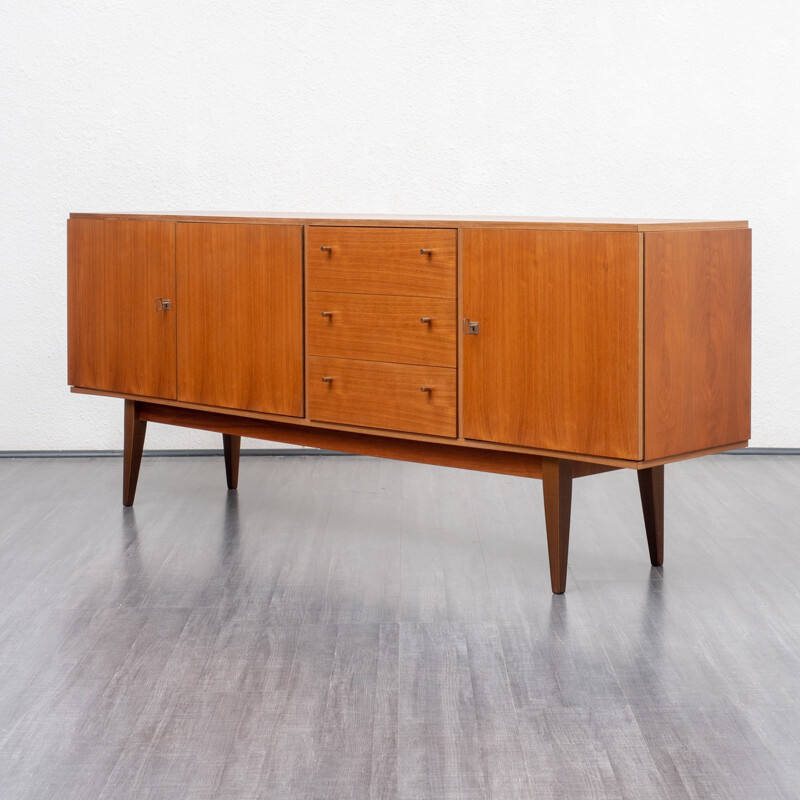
(551, 223)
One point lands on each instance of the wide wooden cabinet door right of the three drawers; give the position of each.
(556, 361)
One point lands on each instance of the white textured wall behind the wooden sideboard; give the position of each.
(683, 109)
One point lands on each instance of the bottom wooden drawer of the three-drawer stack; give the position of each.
(374, 394)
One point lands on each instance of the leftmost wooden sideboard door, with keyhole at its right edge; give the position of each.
(121, 332)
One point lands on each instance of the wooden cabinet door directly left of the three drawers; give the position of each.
(240, 316)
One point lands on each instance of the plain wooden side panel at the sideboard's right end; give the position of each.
(697, 340)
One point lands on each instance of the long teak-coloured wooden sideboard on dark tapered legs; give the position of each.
(547, 348)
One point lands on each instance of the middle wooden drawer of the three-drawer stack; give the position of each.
(380, 327)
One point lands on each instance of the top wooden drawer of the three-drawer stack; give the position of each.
(382, 261)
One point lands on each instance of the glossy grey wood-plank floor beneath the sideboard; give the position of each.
(355, 628)
